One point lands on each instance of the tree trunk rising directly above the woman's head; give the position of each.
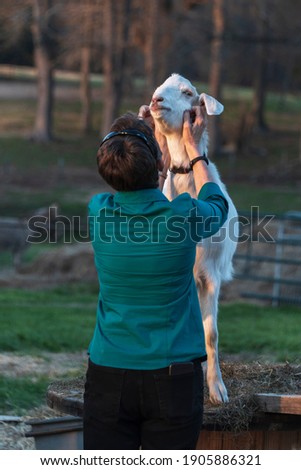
(116, 21)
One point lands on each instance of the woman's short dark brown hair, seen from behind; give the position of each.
(126, 162)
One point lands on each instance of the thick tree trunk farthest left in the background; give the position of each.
(43, 121)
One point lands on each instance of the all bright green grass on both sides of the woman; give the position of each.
(62, 320)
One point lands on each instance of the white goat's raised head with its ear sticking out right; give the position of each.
(173, 97)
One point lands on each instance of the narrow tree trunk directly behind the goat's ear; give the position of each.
(216, 70)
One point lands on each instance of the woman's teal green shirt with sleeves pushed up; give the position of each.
(148, 313)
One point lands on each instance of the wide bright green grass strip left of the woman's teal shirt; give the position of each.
(55, 320)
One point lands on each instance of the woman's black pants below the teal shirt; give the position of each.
(132, 409)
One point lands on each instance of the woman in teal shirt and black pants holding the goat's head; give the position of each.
(144, 384)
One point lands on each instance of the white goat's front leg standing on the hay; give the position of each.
(208, 296)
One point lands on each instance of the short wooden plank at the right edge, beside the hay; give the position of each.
(277, 403)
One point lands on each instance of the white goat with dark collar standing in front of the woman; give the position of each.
(213, 263)
